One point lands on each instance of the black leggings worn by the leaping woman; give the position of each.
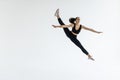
(72, 37)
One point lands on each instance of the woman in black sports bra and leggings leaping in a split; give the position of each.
(76, 28)
